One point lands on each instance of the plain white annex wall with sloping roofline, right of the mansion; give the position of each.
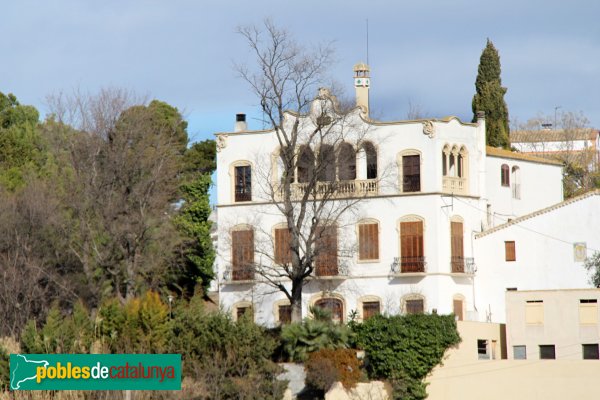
(544, 253)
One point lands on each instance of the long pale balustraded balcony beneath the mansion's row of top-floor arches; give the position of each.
(340, 189)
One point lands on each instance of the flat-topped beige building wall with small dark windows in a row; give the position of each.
(552, 317)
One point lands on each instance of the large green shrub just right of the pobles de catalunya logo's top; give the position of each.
(230, 360)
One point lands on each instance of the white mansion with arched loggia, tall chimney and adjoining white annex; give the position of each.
(445, 224)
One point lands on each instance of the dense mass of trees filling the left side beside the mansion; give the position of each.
(103, 199)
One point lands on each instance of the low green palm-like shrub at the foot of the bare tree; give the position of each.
(300, 339)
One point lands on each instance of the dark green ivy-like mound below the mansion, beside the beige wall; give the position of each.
(404, 349)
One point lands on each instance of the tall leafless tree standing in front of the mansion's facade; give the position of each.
(313, 182)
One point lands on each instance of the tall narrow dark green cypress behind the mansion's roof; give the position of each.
(489, 97)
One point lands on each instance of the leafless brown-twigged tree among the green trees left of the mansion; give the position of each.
(124, 157)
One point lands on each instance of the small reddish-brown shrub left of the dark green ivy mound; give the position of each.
(327, 366)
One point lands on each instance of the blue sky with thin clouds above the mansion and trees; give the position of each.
(422, 52)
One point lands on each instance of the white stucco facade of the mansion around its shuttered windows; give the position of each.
(540, 186)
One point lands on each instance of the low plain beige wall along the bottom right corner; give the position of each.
(463, 376)
